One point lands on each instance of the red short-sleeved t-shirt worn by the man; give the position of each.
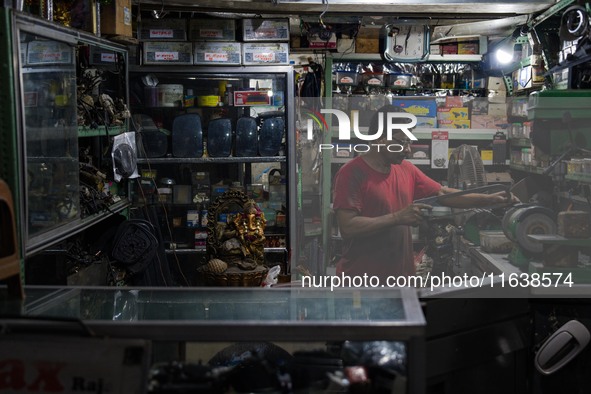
(371, 193)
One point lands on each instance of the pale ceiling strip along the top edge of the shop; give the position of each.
(446, 17)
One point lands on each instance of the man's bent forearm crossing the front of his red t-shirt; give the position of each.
(352, 224)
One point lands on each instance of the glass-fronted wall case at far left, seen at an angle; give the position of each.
(69, 97)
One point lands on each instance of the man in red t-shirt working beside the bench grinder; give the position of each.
(373, 200)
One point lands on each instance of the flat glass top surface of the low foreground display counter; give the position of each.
(213, 314)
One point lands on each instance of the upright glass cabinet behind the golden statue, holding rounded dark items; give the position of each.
(203, 131)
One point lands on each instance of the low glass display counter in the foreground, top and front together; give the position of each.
(209, 322)
